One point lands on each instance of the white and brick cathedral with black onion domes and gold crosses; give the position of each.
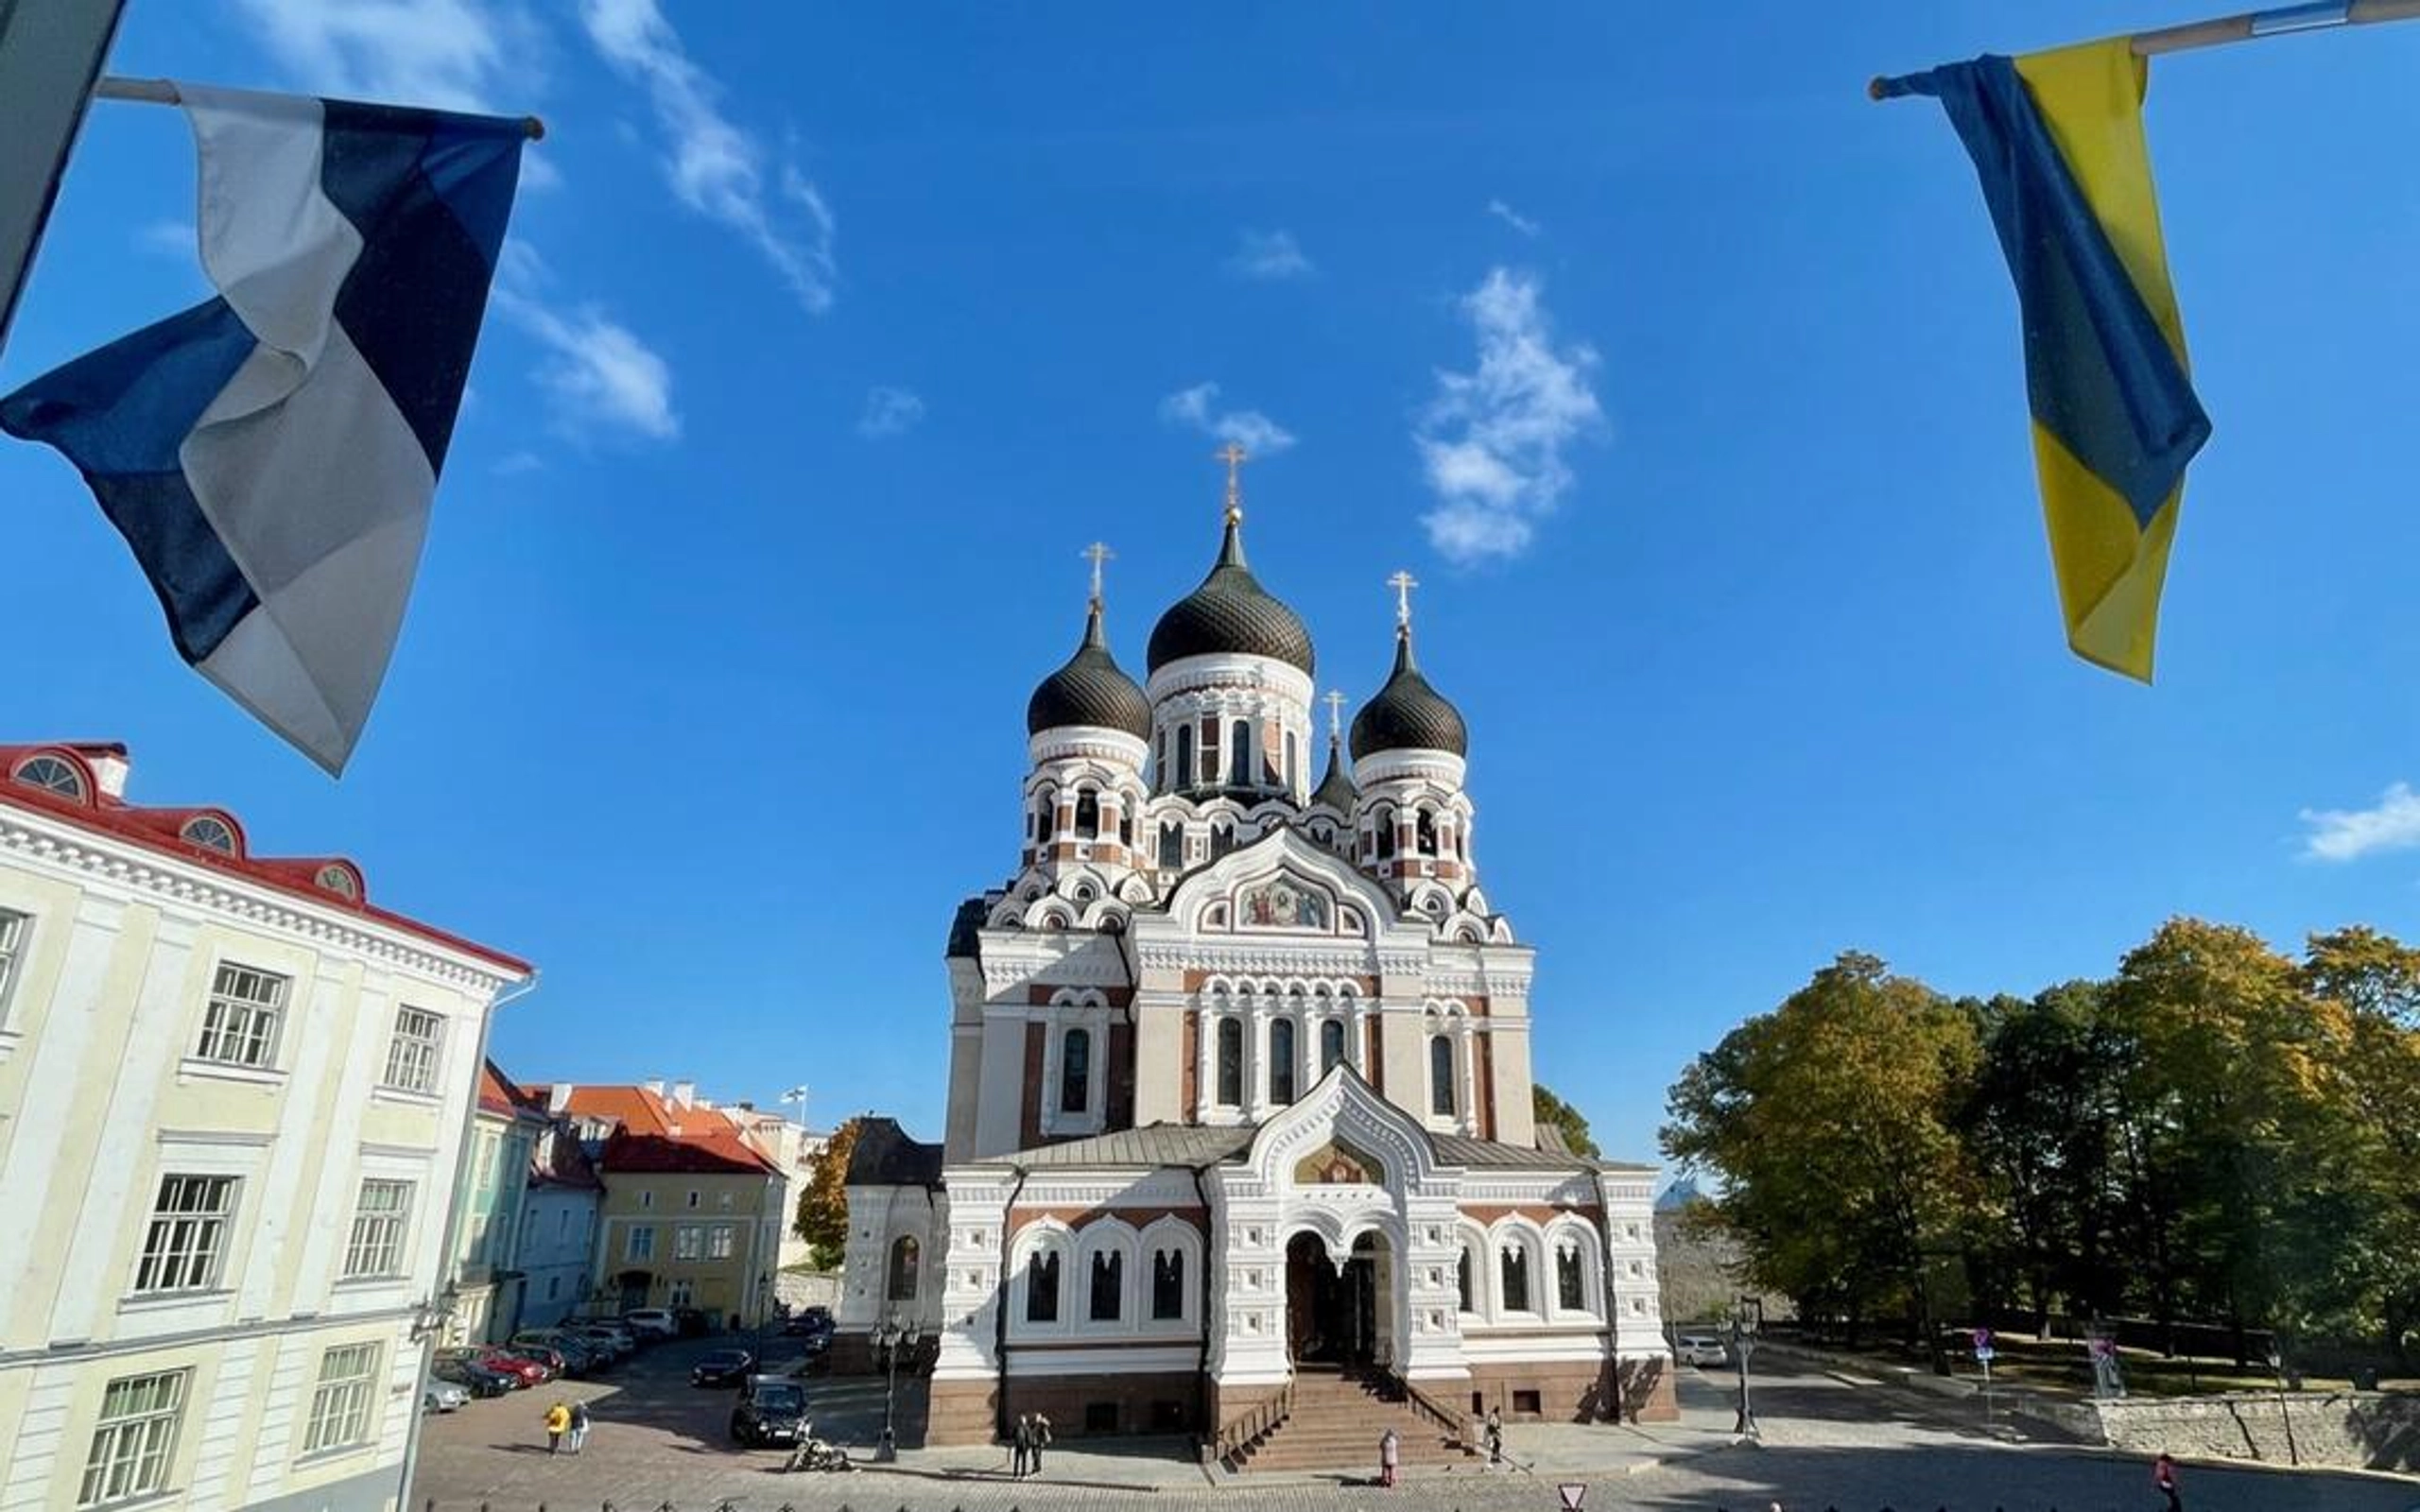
(1240, 1124)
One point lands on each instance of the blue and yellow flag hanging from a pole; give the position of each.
(2058, 146)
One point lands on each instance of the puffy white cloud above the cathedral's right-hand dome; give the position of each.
(1492, 442)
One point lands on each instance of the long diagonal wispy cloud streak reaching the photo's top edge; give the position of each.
(718, 168)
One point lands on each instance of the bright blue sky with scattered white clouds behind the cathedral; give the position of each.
(1681, 376)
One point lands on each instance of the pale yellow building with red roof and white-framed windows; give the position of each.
(234, 1100)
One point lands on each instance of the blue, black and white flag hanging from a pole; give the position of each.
(272, 454)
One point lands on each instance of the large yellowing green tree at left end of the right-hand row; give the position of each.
(1831, 1121)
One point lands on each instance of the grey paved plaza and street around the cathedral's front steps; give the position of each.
(1826, 1443)
